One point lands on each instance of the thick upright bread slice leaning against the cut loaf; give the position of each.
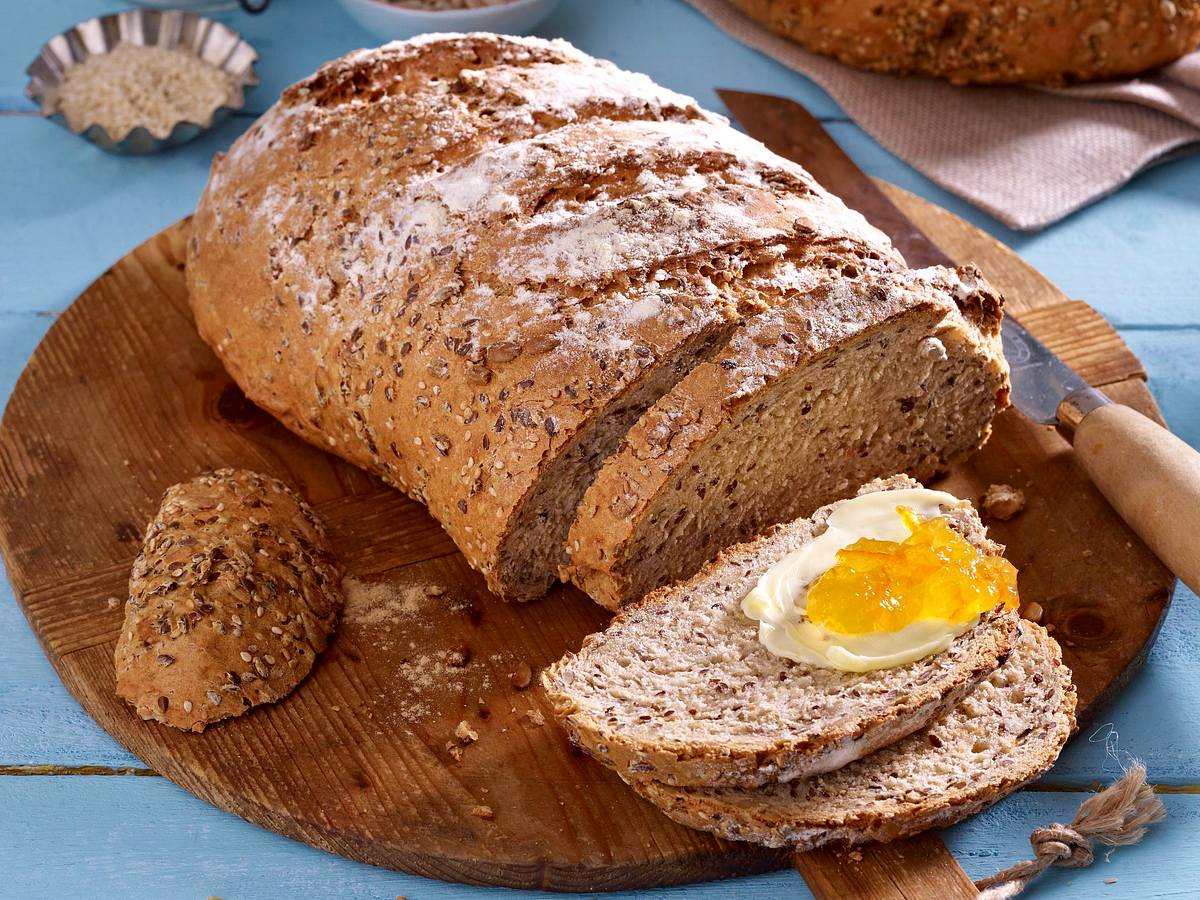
(851, 381)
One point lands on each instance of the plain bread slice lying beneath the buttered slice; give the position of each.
(1009, 731)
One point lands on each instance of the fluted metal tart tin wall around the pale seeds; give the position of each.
(212, 41)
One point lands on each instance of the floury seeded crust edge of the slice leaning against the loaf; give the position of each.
(764, 351)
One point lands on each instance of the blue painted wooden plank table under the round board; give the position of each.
(80, 817)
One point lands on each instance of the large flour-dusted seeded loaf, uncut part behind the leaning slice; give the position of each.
(469, 263)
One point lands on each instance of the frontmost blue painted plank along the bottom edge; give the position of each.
(142, 838)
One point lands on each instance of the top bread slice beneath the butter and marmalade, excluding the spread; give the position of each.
(680, 689)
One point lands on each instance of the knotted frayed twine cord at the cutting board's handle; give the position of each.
(1117, 817)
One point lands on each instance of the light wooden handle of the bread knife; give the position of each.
(1151, 478)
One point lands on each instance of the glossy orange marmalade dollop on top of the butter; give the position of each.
(933, 574)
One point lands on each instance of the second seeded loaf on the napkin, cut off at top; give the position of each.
(995, 43)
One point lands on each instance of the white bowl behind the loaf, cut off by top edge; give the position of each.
(394, 23)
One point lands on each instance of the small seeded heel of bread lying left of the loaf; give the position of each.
(232, 598)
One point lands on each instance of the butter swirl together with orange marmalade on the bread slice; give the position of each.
(886, 584)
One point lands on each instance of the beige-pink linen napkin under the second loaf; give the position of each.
(1028, 157)
